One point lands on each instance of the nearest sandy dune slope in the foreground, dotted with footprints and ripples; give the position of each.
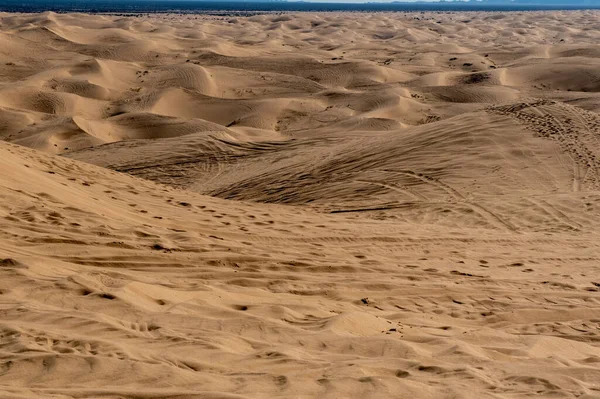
(114, 286)
